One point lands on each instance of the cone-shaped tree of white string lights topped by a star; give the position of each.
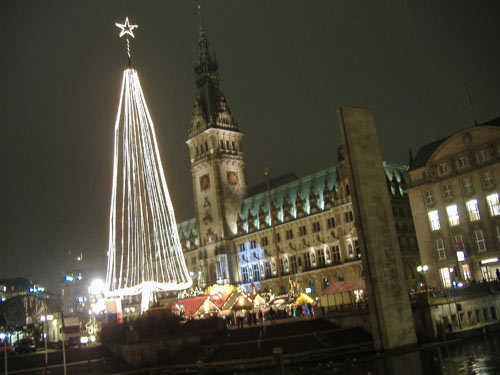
(144, 251)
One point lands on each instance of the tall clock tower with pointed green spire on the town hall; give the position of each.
(217, 166)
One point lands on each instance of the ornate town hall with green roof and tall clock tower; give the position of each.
(231, 238)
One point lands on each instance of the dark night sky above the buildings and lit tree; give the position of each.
(285, 67)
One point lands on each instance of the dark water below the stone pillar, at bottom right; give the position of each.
(478, 355)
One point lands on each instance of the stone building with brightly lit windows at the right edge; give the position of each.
(454, 197)
